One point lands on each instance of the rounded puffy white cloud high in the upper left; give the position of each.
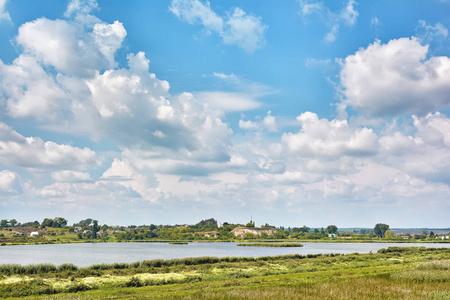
(69, 48)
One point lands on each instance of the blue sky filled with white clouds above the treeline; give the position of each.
(289, 113)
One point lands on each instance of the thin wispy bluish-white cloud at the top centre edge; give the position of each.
(237, 28)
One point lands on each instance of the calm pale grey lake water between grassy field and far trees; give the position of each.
(83, 255)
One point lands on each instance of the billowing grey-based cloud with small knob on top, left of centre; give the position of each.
(135, 111)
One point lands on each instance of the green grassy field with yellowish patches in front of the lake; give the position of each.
(393, 273)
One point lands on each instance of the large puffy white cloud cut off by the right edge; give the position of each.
(395, 78)
